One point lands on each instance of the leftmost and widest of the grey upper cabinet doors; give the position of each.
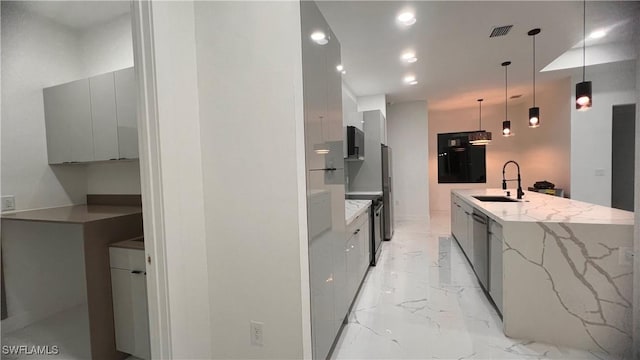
(68, 122)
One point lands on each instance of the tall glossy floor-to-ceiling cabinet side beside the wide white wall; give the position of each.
(328, 262)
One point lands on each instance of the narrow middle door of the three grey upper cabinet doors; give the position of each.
(103, 114)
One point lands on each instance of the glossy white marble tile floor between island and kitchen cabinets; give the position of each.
(423, 301)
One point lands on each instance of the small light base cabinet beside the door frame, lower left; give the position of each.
(129, 291)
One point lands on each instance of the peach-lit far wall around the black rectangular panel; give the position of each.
(543, 153)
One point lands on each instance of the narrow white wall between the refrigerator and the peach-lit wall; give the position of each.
(408, 131)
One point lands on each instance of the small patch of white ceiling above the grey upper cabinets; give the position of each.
(78, 15)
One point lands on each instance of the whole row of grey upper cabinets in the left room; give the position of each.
(92, 119)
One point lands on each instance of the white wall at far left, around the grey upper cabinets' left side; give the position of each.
(36, 53)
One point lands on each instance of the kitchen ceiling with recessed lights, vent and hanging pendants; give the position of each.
(457, 61)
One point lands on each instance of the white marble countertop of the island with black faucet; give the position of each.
(536, 207)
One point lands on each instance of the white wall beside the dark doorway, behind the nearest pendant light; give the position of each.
(613, 84)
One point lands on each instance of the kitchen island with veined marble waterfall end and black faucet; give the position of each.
(562, 274)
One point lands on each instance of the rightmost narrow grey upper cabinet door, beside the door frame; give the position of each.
(126, 110)
